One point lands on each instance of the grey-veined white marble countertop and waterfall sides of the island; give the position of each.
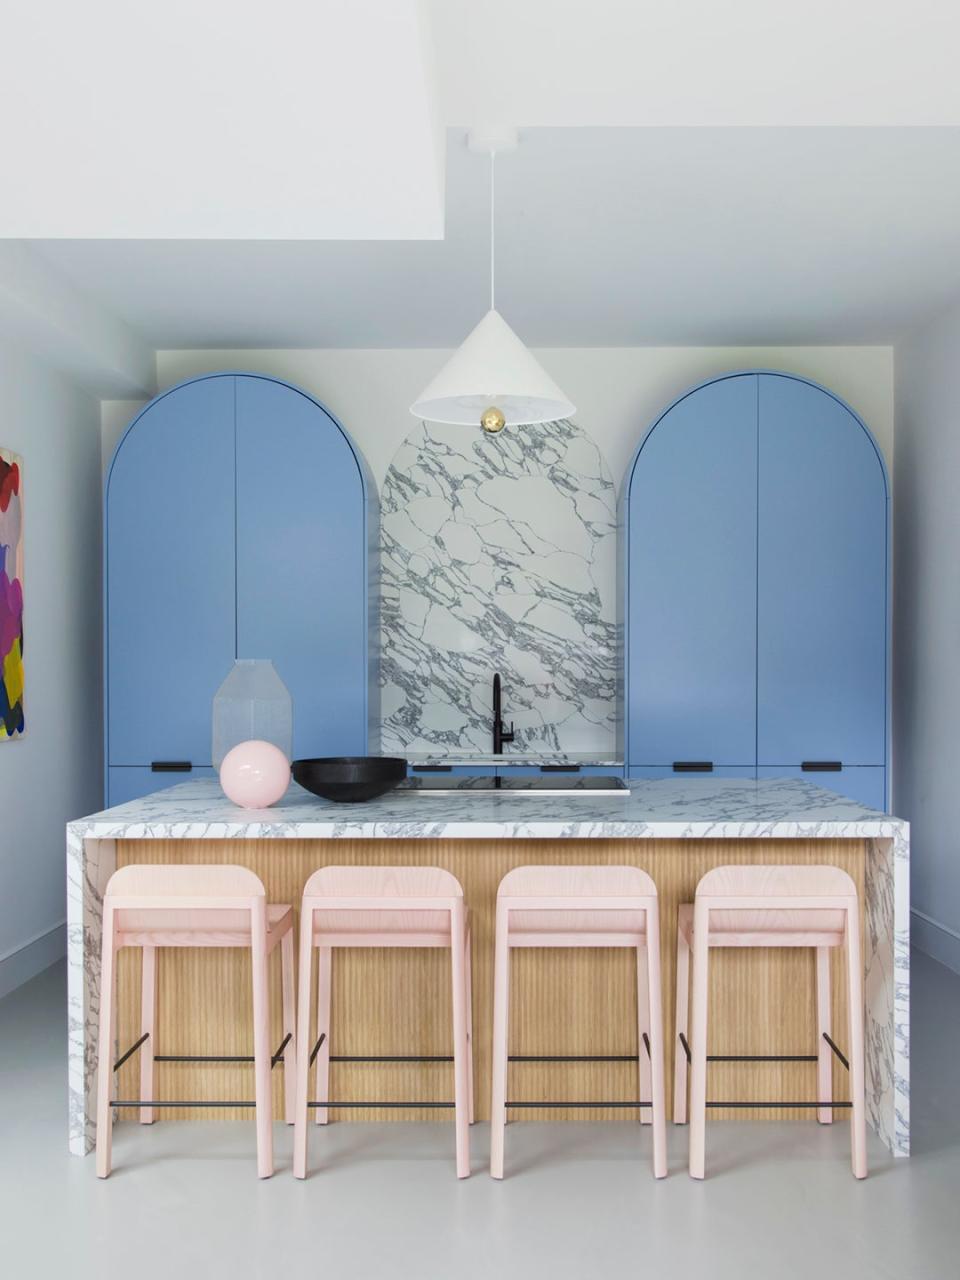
(675, 808)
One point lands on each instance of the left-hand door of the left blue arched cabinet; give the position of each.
(170, 574)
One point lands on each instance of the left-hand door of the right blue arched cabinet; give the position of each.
(692, 573)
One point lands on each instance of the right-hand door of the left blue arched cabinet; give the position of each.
(301, 563)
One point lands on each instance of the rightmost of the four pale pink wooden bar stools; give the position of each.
(771, 907)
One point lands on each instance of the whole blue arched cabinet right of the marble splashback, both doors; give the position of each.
(755, 543)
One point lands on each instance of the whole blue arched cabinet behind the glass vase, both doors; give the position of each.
(241, 522)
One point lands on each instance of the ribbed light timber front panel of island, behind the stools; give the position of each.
(578, 1002)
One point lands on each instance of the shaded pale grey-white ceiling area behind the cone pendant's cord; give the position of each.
(606, 237)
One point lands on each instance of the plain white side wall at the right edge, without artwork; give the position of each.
(927, 627)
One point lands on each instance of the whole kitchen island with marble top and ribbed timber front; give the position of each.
(563, 1005)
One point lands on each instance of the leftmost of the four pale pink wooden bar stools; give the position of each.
(194, 907)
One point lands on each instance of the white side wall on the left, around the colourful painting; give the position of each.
(54, 772)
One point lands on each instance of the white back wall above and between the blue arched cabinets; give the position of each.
(619, 391)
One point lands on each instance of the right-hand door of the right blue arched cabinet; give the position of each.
(822, 582)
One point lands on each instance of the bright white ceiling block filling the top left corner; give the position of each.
(220, 118)
